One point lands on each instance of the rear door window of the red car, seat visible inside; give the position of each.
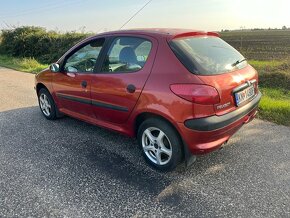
(127, 54)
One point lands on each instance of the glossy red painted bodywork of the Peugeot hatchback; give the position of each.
(153, 94)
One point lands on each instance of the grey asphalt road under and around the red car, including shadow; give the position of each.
(67, 168)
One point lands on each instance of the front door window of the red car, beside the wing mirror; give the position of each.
(84, 59)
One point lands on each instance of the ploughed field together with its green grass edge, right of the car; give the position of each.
(269, 52)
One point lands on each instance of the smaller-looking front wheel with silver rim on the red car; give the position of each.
(47, 105)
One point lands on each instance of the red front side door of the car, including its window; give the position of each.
(72, 86)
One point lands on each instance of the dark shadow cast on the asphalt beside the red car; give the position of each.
(86, 146)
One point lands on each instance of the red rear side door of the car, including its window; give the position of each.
(125, 68)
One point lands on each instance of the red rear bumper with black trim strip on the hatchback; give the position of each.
(207, 134)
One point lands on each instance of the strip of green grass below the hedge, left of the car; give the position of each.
(29, 65)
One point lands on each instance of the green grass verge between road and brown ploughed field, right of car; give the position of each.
(274, 82)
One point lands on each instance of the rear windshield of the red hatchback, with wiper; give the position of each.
(207, 55)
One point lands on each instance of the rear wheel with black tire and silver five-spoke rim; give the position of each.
(160, 144)
